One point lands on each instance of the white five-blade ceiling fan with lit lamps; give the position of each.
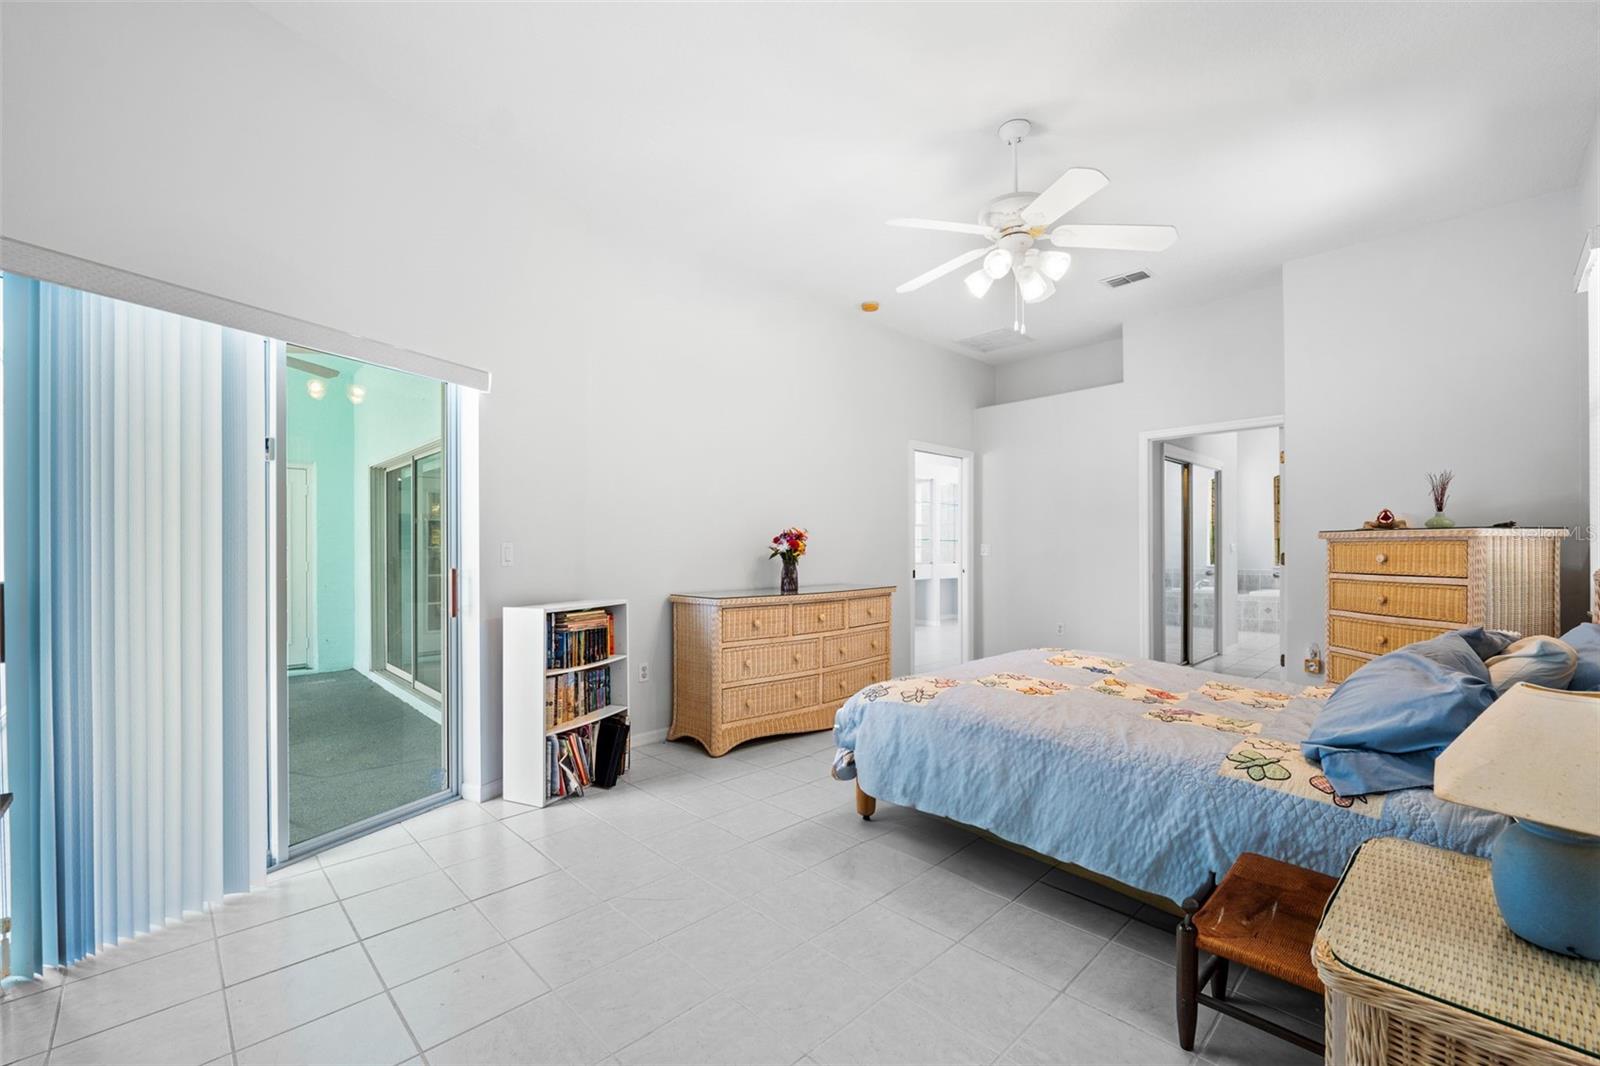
(1012, 226)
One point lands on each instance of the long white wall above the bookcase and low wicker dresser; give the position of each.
(174, 142)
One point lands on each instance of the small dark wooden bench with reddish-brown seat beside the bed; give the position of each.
(1263, 916)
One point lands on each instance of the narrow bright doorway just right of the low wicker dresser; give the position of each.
(942, 534)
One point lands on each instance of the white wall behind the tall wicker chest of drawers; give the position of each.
(1458, 345)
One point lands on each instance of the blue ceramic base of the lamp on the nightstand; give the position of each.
(1548, 888)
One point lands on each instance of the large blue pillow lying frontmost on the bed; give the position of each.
(1383, 729)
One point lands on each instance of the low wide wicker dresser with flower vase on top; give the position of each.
(756, 663)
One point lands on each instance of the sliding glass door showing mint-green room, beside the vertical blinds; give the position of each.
(367, 724)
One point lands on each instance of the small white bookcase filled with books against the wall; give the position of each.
(554, 732)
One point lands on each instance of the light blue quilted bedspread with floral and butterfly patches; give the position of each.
(1143, 772)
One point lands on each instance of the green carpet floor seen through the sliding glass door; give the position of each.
(356, 751)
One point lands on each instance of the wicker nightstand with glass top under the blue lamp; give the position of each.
(1422, 969)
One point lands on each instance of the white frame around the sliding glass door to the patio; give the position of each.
(279, 849)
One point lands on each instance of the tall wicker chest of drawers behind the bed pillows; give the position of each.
(1391, 588)
